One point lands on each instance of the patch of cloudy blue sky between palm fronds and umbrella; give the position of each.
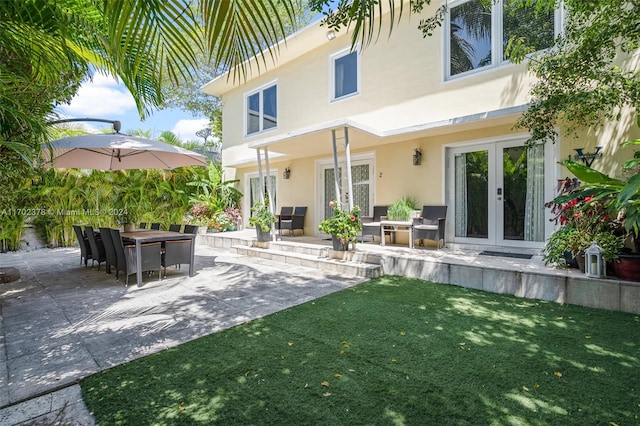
(105, 98)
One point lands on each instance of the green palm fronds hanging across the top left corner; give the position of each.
(48, 48)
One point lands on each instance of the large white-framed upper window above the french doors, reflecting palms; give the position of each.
(479, 33)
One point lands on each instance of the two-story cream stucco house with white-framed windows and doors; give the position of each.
(401, 97)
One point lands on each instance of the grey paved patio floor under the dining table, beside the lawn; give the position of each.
(62, 322)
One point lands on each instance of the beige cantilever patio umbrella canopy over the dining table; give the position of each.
(117, 152)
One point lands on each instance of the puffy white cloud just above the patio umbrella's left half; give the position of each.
(101, 97)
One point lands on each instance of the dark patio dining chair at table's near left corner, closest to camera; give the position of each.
(126, 257)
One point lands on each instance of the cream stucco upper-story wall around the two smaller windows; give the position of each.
(401, 86)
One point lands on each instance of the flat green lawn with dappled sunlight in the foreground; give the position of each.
(393, 350)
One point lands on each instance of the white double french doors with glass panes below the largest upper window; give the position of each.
(497, 193)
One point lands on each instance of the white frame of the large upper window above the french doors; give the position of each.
(496, 39)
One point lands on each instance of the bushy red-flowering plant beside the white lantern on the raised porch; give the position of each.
(582, 220)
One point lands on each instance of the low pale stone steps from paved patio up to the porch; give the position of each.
(318, 257)
